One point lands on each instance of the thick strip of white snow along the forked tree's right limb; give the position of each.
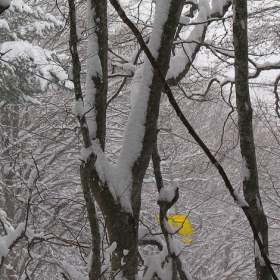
(136, 125)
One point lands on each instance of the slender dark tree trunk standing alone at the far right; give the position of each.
(245, 127)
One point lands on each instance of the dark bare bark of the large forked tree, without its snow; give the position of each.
(122, 227)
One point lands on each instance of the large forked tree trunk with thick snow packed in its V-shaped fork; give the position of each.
(117, 189)
